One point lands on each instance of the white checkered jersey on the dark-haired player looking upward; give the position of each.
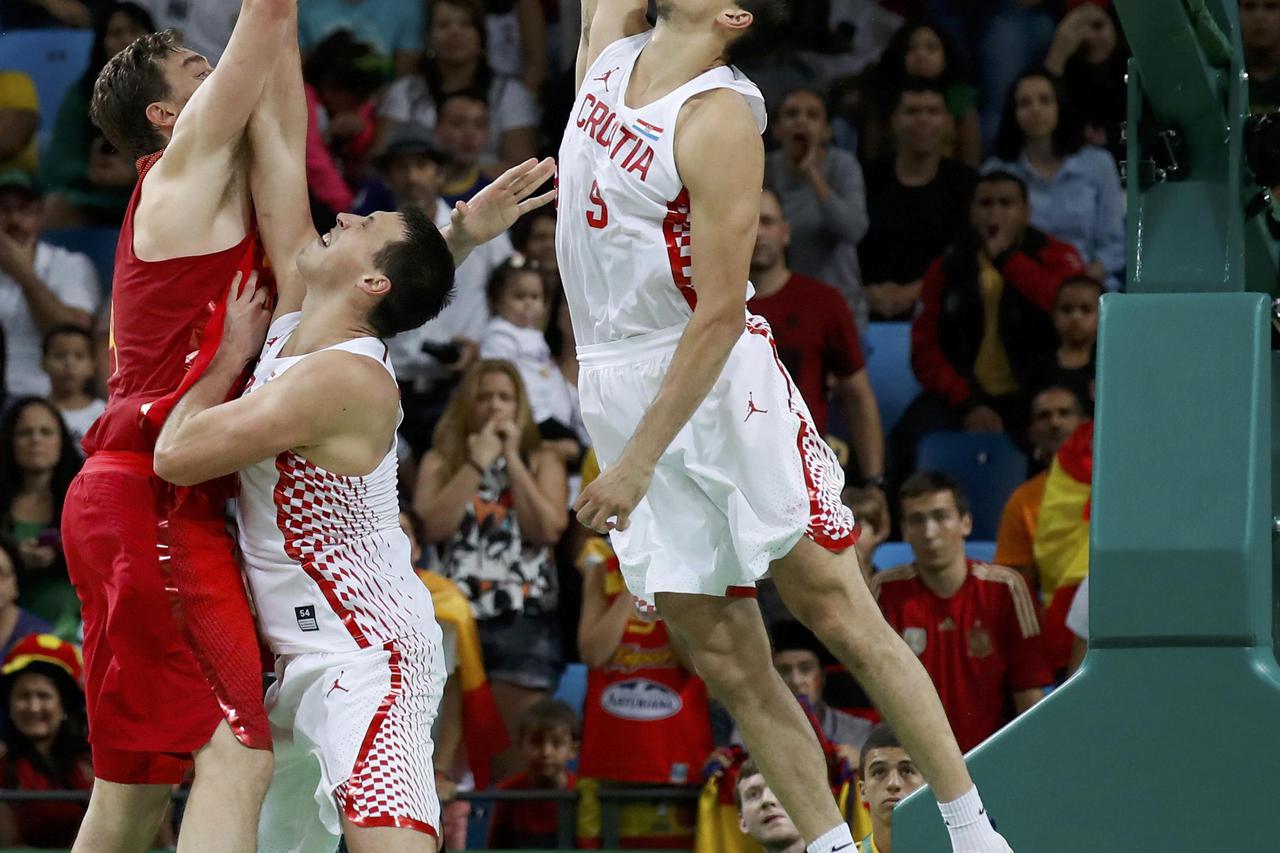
(328, 565)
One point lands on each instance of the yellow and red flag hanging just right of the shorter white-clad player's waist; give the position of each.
(484, 735)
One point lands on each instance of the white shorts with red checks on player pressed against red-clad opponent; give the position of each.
(353, 735)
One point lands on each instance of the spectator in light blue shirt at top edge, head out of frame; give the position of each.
(394, 29)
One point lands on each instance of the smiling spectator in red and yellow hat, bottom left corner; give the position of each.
(45, 741)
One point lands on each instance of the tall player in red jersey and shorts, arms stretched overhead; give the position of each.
(173, 672)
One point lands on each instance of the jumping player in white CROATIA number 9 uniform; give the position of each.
(715, 473)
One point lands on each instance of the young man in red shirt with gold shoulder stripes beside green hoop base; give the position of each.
(973, 626)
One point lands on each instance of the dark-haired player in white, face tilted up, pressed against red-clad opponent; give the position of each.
(359, 670)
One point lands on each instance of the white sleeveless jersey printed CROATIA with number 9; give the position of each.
(624, 235)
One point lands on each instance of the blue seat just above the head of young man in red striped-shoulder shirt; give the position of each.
(989, 466)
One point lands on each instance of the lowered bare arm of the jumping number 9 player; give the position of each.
(721, 158)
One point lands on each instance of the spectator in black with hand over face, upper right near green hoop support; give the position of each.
(1091, 57)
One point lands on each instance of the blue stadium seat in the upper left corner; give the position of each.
(54, 58)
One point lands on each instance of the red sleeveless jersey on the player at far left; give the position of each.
(167, 321)
